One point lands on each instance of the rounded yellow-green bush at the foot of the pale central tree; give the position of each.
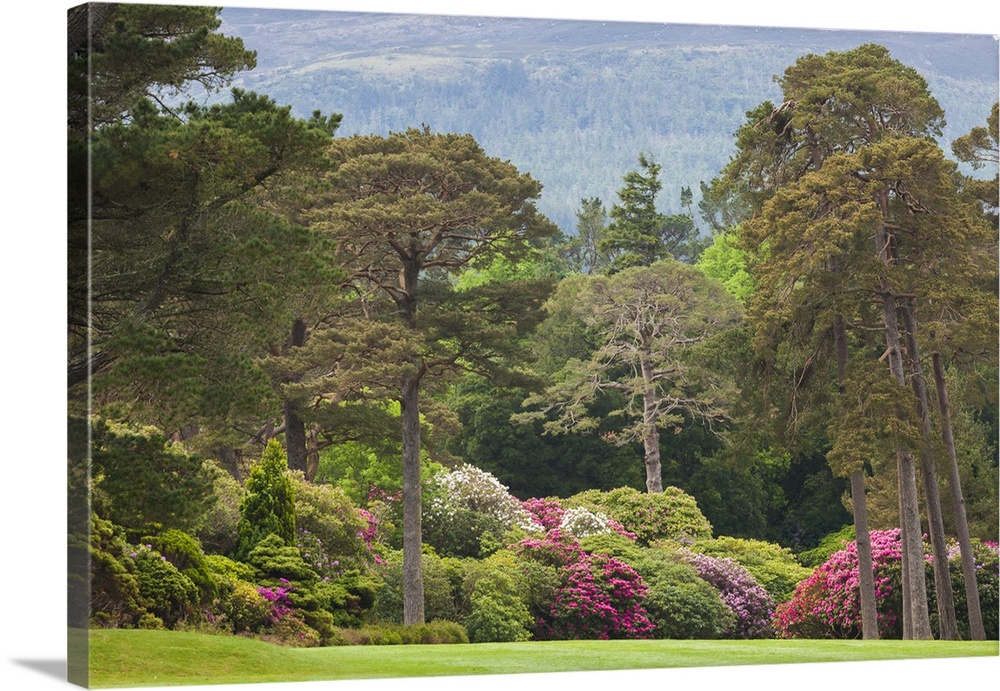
(668, 515)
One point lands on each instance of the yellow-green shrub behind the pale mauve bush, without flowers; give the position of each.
(772, 566)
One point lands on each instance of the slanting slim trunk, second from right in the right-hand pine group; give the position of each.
(947, 629)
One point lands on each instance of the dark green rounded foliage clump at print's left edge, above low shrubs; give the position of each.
(144, 482)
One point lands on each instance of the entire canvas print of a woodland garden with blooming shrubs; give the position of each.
(412, 346)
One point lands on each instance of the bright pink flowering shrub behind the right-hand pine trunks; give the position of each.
(828, 603)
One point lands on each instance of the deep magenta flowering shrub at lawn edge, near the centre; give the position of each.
(595, 596)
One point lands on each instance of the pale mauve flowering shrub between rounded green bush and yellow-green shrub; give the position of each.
(745, 598)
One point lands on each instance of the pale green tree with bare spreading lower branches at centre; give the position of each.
(648, 324)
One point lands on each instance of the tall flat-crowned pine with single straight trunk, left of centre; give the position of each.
(406, 212)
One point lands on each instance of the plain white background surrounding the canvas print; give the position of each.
(33, 516)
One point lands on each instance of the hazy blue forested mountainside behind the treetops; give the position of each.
(573, 102)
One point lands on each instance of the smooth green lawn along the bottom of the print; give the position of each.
(159, 658)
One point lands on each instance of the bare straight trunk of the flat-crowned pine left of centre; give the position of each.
(413, 579)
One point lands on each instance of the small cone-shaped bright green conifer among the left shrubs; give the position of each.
(268, 507)
